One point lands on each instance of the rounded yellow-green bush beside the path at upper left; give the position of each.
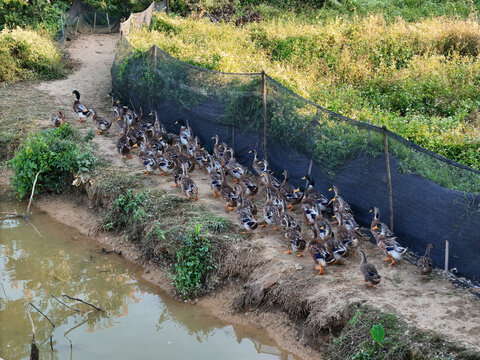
(26, 54)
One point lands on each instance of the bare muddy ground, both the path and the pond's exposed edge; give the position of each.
(434, 304)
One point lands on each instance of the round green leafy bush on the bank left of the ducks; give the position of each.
(56, 154)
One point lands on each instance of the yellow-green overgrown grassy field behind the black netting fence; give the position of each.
(416, 75)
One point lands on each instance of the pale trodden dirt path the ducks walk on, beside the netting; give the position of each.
(433, 304)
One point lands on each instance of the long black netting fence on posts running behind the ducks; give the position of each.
(434, 199)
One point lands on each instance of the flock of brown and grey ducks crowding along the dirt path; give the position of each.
(179, 154)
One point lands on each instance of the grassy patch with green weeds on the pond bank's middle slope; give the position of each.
(173, 231)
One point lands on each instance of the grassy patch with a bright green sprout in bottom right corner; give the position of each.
(361, 338)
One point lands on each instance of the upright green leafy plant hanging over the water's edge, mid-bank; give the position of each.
(194, 263)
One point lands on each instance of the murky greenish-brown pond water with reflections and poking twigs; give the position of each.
(46, 258)
